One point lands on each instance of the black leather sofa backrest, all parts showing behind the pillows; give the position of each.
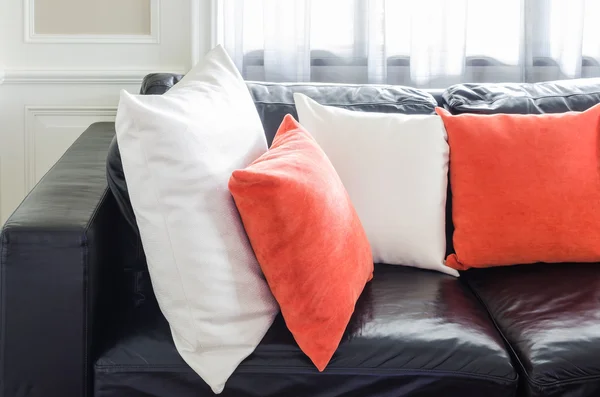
(274, 100)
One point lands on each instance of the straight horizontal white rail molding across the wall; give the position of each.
(78, 76)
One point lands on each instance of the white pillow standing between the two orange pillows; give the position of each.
(395, 169)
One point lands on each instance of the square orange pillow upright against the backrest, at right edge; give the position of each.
(525, 188)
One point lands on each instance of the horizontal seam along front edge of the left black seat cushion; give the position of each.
(305, 370)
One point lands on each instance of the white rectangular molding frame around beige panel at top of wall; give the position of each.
(30, 36)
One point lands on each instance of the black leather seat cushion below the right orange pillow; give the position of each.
(550, 316)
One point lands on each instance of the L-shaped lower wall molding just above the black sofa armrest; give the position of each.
(31, 112)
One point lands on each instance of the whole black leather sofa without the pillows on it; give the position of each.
(78, 316)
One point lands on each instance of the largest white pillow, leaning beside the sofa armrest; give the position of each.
(178, 151)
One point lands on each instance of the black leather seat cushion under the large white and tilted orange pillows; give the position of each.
(413, 333)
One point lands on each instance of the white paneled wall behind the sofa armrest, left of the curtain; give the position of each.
(53, 86)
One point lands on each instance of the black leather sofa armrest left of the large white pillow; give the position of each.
(56, 249)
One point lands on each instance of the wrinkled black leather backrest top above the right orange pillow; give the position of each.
(523, 98)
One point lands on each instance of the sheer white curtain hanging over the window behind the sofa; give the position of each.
(424, 43)
